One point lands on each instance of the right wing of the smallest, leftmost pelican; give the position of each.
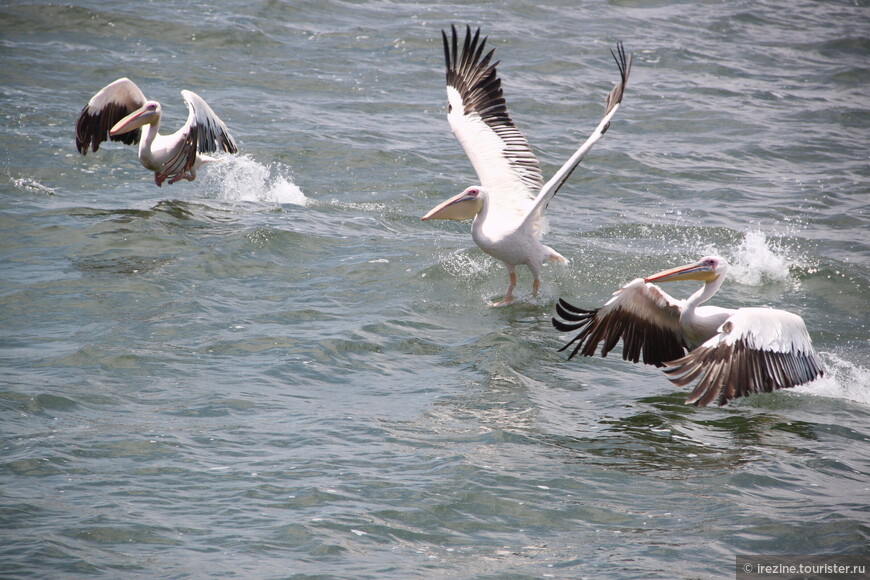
(203, 132)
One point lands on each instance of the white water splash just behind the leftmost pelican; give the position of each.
(240, 178)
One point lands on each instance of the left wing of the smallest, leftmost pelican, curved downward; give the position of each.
(114, 102)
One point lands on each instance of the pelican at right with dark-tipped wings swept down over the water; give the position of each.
(732, 353)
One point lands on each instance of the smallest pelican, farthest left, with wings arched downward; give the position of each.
(121, 112)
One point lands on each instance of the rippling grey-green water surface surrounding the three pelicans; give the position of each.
(278, 371)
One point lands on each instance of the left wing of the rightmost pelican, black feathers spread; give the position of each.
(645, 318)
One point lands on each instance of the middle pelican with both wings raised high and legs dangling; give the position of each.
(508, 205)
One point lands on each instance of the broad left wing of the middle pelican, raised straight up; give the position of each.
(478, 116)
